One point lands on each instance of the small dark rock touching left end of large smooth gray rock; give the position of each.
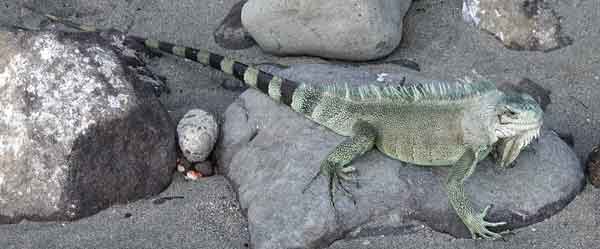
(231, 33)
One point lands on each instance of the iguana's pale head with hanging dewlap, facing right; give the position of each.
(519, 122)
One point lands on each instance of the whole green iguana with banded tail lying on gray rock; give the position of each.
(435, 123)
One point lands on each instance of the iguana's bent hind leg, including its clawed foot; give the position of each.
(336, 165)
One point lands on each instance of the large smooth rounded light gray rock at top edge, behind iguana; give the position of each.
(348, 30)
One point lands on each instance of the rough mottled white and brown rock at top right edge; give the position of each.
(519, 24)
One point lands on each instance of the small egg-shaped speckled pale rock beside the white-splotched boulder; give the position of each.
(198, 133)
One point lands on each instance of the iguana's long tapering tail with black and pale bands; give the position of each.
(278, 88)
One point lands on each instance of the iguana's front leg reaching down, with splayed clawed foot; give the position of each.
(456, 194)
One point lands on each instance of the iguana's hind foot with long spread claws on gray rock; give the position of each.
(337, 175)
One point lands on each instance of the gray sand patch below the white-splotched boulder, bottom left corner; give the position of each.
(206, 217)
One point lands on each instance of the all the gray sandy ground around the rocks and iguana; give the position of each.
(435, 37)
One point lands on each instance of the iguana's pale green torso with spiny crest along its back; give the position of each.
(428, 123)
